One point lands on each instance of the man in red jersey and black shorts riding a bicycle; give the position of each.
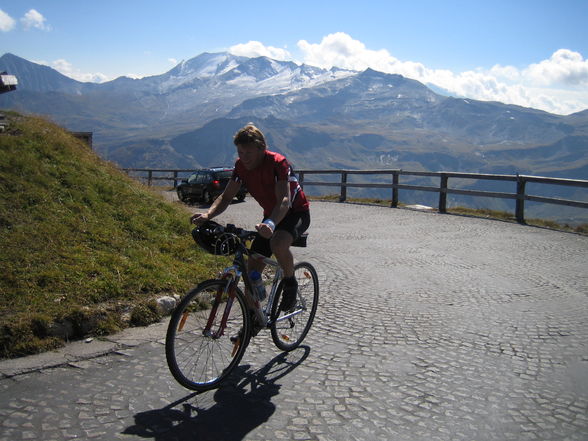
(270, 179)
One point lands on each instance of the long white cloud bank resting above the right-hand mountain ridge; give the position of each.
(555, 85)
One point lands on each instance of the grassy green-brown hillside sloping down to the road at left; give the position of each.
(80, 242)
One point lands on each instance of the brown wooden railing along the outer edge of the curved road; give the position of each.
(393, 183)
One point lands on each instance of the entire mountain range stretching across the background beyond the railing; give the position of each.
(319, 118)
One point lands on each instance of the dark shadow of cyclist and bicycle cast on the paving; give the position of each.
(228, 413)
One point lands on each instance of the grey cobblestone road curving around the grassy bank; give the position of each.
(430, 327)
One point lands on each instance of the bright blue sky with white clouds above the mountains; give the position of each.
(531, 53)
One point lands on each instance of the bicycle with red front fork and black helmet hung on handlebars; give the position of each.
(211, 327)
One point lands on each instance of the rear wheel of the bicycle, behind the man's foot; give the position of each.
(289, 329)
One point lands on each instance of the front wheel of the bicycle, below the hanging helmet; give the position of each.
(207, 335)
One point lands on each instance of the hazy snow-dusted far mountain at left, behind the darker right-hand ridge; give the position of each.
(187, 96)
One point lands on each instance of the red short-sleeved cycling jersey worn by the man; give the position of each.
(261, 182)
